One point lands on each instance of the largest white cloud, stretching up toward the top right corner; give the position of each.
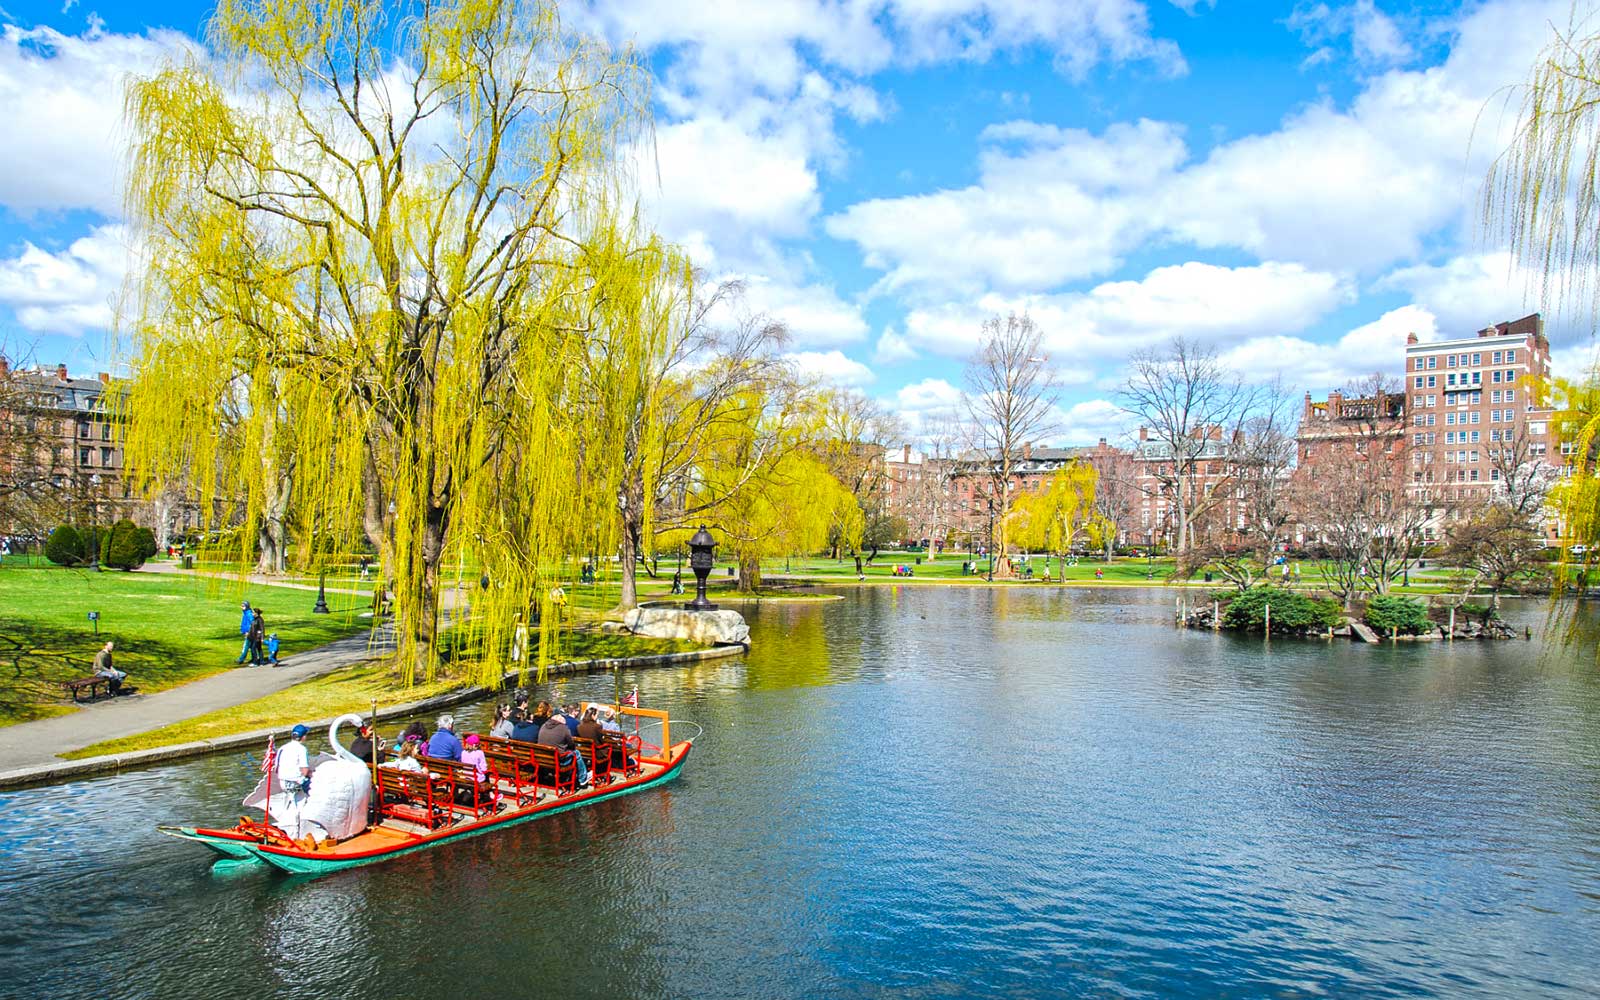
(1338, 188)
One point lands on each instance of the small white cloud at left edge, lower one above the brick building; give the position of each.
(70, 292)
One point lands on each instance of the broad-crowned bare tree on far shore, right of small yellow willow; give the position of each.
(1191, 406)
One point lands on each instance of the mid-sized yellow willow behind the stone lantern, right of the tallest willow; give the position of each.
(671, 390)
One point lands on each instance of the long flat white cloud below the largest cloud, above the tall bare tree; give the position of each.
(1199, 302)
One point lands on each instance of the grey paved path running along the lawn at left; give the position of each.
(36, 743)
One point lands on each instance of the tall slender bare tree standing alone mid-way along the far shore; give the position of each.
(1010, 402)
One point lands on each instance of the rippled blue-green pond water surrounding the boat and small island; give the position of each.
(924, 793)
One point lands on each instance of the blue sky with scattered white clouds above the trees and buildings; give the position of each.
(1295, 186)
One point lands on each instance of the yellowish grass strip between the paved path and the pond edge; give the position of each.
(354, 690)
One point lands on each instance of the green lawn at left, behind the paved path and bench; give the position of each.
(169, 630)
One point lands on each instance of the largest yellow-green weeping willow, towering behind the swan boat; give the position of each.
(369, 228)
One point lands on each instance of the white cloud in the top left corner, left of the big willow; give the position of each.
(62, 137)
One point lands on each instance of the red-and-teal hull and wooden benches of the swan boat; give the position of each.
(417, 812)
